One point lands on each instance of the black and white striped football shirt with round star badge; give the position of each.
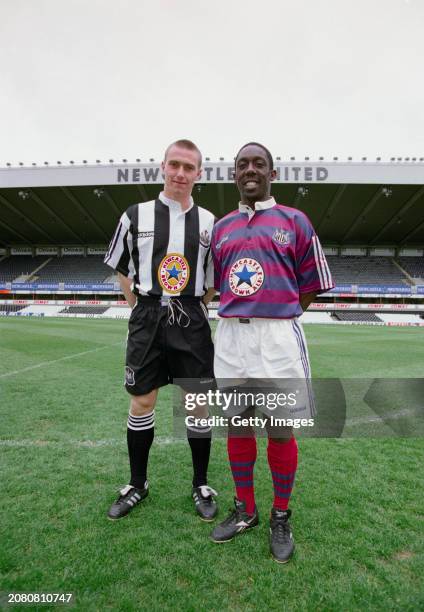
(166, 251)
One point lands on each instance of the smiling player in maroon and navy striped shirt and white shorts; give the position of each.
(269, 266)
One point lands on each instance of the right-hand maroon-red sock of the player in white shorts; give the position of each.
(282, 460)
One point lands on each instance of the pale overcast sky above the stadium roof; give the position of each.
(101, 79)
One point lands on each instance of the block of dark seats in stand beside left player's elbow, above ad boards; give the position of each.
(73, 269)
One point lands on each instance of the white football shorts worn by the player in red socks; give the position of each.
(267, 354)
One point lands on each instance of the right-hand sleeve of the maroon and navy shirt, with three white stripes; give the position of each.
(312, 271)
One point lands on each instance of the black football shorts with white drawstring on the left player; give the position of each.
(161, 349)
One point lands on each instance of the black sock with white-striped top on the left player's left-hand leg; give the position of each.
(140, 433)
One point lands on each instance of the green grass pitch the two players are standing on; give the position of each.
(358, 511)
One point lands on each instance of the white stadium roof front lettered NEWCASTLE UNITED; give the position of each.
(397, 171)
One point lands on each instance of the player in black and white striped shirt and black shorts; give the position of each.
(161, 251)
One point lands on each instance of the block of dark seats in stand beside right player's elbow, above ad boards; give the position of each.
(365, 270)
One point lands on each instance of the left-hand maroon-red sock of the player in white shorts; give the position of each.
(242, 456)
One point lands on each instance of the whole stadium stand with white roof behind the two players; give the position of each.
(375, 288)
